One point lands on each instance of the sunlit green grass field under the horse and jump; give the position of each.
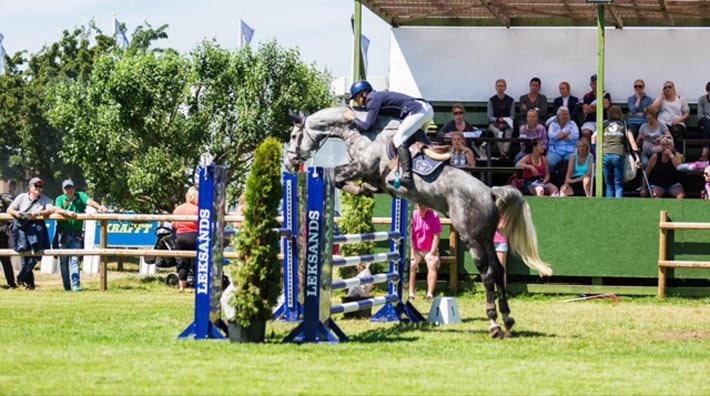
(123, 342)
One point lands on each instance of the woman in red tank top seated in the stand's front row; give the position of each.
(536, 173)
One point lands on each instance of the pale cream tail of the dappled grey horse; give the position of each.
(517, 226)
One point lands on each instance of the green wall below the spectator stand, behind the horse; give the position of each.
(601, 237)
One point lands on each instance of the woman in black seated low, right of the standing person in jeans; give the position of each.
(663, 173)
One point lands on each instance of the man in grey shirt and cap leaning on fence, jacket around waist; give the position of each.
(29, 228)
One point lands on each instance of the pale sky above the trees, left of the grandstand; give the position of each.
(319, 28)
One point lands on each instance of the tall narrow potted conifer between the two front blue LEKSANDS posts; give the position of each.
(257, 276)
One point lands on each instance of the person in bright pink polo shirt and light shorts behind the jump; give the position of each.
(426, 228)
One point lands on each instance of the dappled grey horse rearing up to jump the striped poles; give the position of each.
(473, 207)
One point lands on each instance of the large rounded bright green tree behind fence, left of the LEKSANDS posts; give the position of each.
(127, 128)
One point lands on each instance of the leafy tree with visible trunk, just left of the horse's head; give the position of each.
(241, 97)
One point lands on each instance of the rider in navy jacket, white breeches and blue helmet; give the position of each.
(415, 113)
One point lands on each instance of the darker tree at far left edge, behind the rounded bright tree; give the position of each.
(29, 143)
